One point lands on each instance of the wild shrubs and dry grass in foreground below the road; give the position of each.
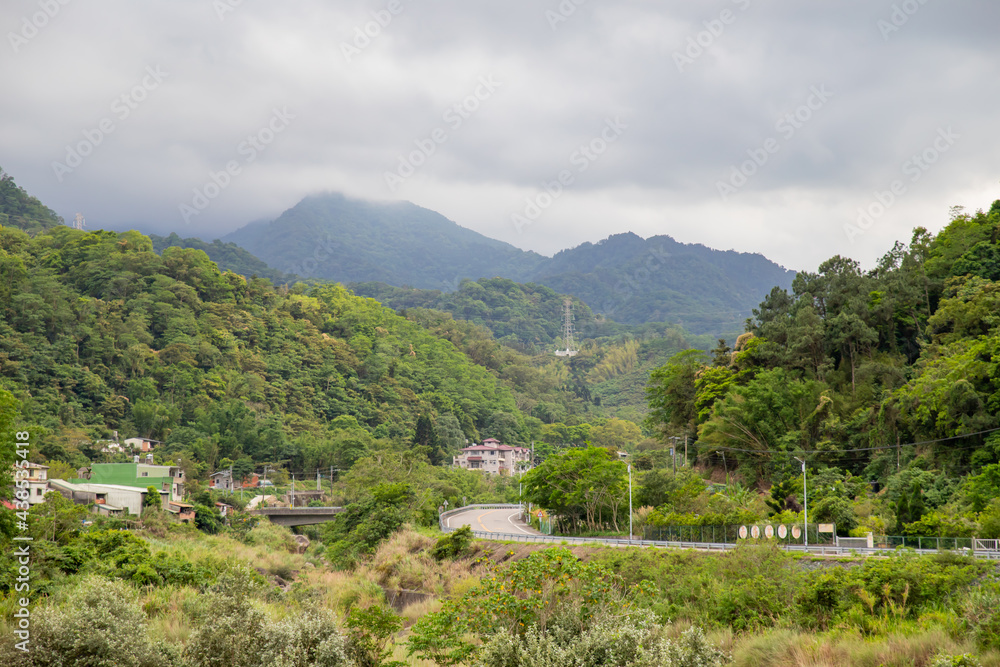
(171, 595)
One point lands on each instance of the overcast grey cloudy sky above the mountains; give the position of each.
(798, 130)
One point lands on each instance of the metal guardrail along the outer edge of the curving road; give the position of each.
(822, 549)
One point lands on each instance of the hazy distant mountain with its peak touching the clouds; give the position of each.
(349, 240)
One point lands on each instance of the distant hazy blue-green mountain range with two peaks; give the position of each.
(624, 277)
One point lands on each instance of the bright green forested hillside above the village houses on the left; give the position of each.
(100, 333)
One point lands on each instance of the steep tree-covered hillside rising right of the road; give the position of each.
(890, 375)
